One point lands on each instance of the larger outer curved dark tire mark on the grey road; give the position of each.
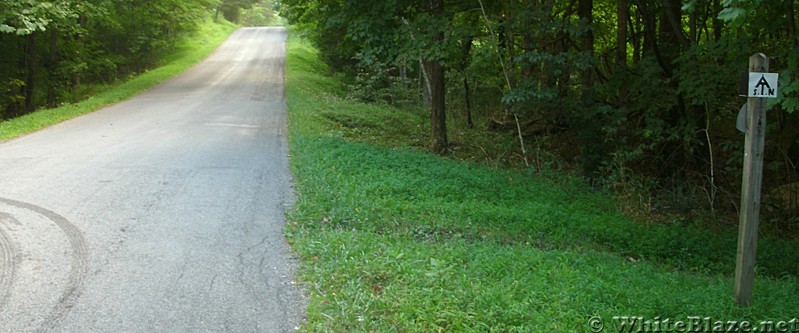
(79, 266)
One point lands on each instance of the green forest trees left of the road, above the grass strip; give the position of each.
(58, 51)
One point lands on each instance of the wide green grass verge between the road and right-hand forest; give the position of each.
(394, 239)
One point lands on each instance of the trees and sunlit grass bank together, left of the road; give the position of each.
(64, 58)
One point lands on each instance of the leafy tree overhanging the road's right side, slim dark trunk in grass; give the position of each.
(367, 35)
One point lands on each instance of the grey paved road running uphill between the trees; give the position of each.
(163, 213)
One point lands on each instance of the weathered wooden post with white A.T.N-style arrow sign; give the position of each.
(761, 85)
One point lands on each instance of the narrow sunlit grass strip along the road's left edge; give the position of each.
(186, 54)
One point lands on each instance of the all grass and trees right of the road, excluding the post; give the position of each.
(594, 130)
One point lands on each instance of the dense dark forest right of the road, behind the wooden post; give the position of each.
(640, 95)
